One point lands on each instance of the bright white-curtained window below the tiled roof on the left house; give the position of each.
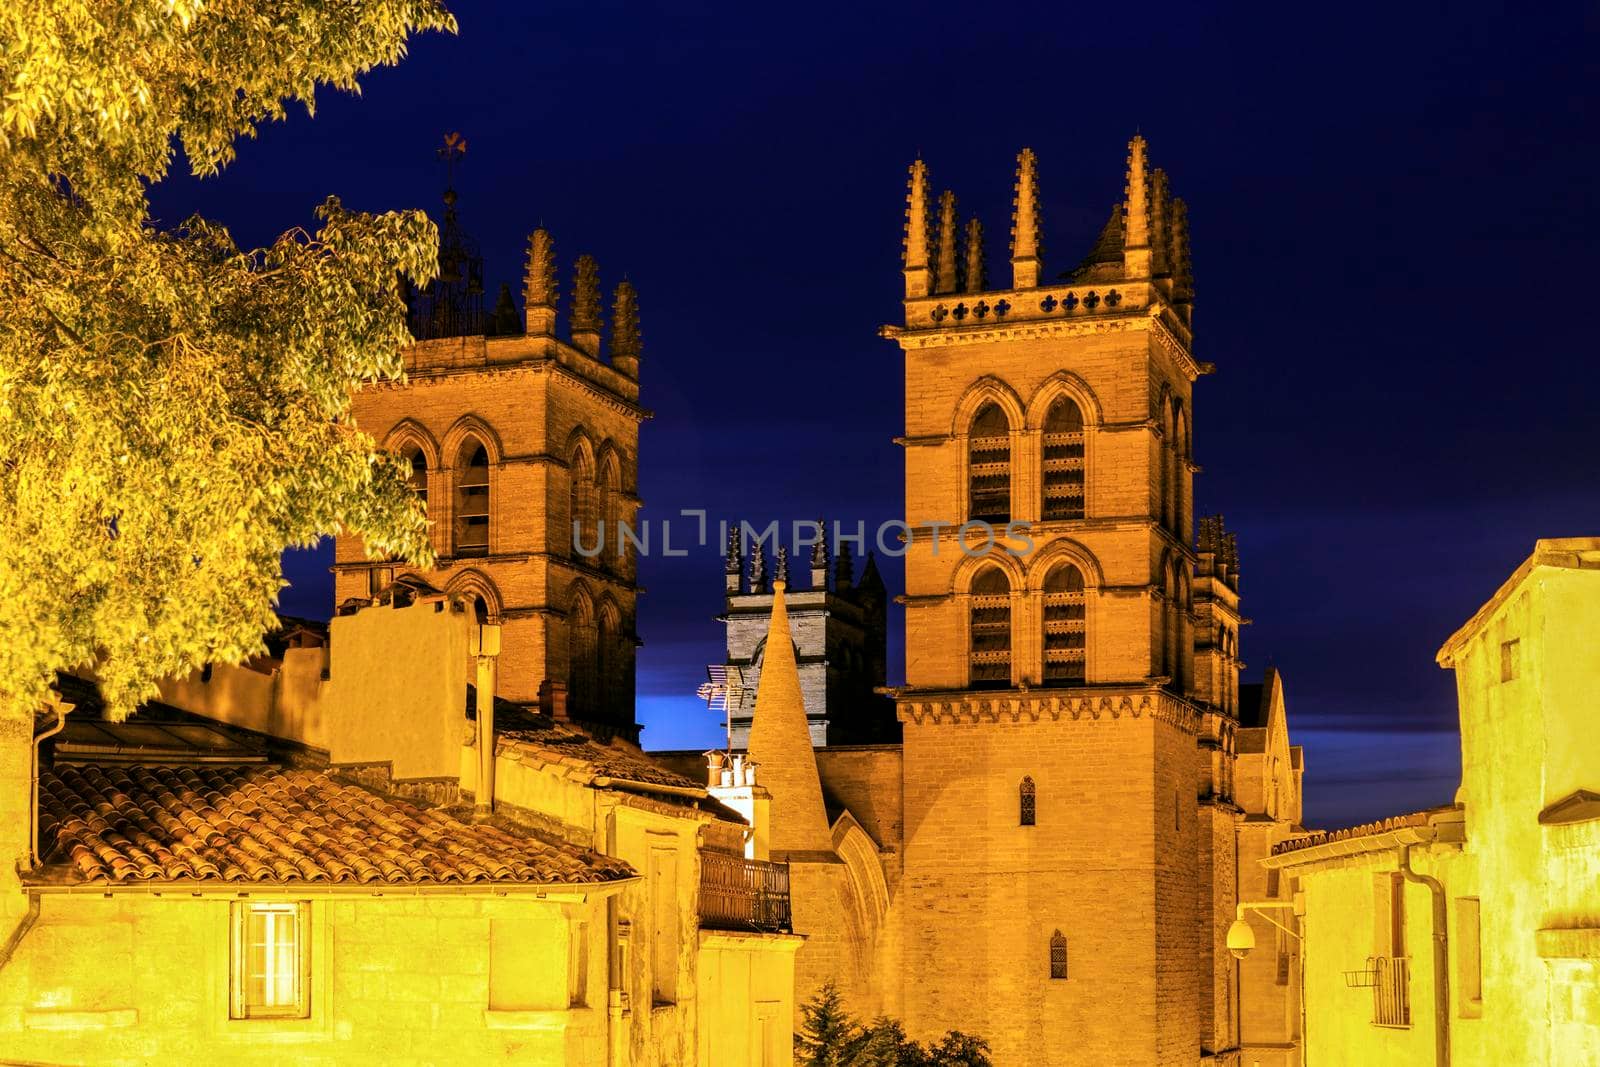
(271, 962)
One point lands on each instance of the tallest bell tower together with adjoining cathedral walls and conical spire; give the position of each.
(1052, 855)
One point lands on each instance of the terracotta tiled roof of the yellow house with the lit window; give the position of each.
(265, 825)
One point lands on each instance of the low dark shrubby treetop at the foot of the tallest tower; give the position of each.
(830, 1037)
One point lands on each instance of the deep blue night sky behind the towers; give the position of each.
(1393, 234)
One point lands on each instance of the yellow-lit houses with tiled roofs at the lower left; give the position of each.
(298, 858)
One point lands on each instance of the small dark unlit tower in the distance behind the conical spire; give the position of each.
(841, 631)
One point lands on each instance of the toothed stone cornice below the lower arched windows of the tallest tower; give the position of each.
(1018, 706)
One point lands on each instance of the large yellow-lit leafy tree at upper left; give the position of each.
(174, 410)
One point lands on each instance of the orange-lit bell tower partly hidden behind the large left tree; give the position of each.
(526, 449)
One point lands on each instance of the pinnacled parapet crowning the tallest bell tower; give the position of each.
(1138, 270)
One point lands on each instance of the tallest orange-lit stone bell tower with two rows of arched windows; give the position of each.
(1050, 725)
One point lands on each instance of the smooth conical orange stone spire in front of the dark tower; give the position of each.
(782, 745)
